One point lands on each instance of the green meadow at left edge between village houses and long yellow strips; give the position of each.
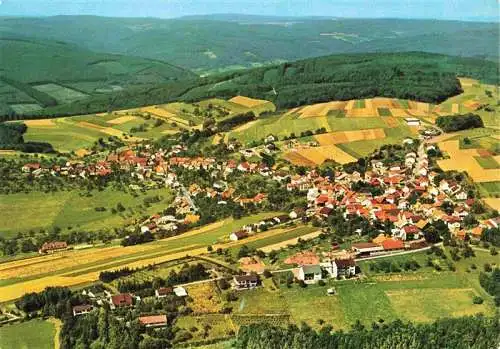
(70, 209)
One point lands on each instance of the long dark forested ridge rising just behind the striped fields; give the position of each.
(416, 76)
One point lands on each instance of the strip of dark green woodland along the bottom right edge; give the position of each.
(468, 332)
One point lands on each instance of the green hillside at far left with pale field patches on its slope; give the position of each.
(37, 73)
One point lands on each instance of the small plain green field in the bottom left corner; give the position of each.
(34, 334)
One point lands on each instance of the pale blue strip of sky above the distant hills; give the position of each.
(479, 10)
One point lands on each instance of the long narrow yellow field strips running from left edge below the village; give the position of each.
(85, 262)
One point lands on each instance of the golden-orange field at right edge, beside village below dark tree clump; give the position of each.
(464, 160)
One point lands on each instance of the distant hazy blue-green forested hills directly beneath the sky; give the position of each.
(211, 43)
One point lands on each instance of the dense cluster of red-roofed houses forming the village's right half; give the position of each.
(409, 198)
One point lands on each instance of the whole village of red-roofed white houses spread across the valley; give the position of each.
(398, 201)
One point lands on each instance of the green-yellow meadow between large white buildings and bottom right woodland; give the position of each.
(423, 295)
